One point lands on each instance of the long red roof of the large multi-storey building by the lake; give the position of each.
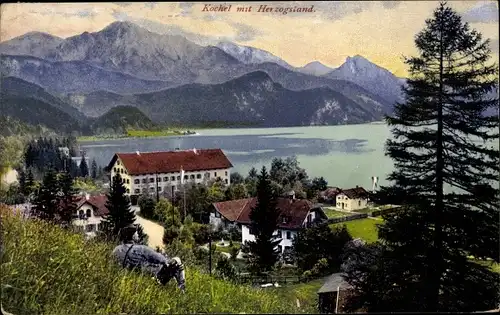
(172, 161)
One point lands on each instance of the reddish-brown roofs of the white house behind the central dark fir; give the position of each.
(239, 210)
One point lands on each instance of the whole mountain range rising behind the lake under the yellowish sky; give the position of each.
(172, 79)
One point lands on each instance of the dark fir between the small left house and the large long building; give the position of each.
(120, 214)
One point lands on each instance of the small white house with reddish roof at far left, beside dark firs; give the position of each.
(89, 213)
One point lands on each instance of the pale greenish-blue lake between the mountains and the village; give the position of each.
(345, 156)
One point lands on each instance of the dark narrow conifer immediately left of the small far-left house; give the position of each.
(67, 199)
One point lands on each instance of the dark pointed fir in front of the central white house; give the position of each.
(264, 222)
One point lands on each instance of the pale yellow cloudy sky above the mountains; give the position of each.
(381, 31)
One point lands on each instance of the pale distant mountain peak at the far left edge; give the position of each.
(35, 44)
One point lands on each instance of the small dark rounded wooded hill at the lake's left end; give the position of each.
(119, 119)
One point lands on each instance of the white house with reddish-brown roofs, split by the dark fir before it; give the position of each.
(296, 214)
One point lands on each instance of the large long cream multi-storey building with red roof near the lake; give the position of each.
(163, 173)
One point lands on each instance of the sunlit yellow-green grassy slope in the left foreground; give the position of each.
(52, 271)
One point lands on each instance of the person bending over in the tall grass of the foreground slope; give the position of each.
(134, 256)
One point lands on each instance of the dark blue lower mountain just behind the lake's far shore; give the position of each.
(252, 98)
